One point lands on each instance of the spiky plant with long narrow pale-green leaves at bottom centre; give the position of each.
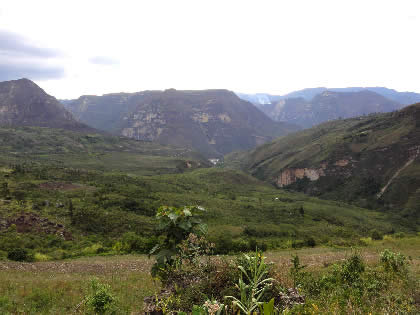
(256, 282)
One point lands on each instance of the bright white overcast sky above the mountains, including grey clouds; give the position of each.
(73, 48)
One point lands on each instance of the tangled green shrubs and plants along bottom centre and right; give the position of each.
(349, 286)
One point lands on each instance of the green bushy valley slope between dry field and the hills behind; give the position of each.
(64, 212)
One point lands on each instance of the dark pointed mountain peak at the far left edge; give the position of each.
(23, 103)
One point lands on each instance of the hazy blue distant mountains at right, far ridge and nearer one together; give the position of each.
(308, 107)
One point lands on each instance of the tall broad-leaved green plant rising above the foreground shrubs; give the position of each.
(175, 225)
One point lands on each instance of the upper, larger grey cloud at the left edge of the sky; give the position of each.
(16, 45)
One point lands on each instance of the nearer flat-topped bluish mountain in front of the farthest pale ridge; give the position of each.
(330, 105)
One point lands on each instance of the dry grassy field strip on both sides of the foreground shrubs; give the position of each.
(60, 287)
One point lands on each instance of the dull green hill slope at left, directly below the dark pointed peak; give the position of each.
(93, 151)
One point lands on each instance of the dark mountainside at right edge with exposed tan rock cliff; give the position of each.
(372, 160)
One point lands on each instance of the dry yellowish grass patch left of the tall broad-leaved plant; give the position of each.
(60, 287)
